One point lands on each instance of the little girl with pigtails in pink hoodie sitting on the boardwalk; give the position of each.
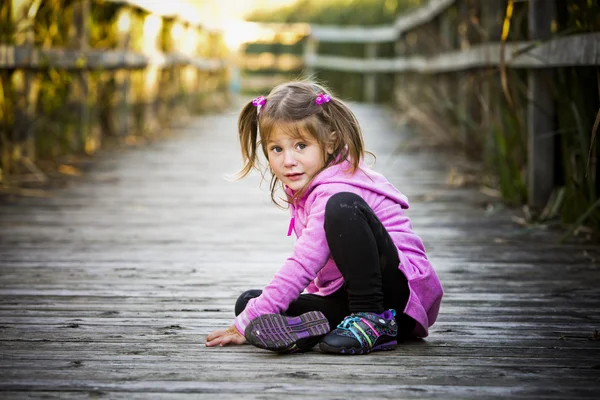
(364, 270)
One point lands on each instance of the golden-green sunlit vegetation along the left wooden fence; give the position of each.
(51, 116)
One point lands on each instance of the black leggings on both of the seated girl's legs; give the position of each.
(368, 261)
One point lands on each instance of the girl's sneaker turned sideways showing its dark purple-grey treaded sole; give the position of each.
(284, 334)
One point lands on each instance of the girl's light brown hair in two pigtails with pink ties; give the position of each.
(292, 107)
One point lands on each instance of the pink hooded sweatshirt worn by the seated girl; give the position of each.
(311, 267)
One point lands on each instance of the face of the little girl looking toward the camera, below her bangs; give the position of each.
(294, 161)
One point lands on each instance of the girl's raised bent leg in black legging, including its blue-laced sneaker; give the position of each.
(368, 260)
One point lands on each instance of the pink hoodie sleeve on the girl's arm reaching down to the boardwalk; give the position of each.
(309, 255)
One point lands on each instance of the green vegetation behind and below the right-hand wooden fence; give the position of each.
(482, 113)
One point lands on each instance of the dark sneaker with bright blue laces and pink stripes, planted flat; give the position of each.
(362, 333)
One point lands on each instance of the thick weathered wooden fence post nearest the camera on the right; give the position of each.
(540, 112)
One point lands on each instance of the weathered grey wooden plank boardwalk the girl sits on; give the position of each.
(109, 288)
